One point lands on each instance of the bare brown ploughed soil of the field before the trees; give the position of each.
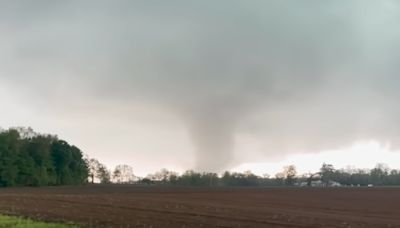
(132, 206)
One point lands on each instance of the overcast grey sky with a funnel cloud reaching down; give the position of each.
(209, 85)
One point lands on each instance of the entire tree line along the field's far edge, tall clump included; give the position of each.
(31, 159)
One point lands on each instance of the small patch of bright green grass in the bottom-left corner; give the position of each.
(17, 222)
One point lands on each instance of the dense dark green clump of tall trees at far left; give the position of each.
(31, 159)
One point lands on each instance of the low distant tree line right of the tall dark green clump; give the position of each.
(327, 176)
